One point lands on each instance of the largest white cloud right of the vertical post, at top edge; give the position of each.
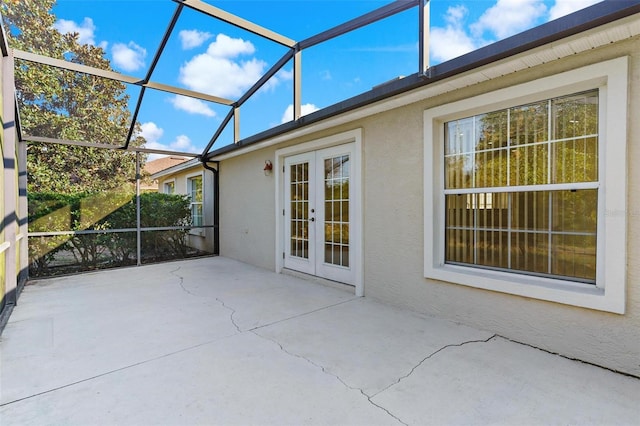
(508, 17)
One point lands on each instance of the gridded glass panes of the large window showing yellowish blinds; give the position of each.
(521, 188)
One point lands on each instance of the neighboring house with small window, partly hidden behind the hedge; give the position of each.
(190, 178)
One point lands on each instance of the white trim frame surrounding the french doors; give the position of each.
(356, 235)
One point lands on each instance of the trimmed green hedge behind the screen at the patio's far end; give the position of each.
(105, 211)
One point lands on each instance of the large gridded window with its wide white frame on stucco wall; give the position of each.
(525, 188)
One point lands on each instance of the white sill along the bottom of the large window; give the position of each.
(547, 289)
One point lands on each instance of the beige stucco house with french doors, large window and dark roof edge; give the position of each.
(501, 190)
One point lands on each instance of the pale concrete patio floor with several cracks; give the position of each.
(218, 342)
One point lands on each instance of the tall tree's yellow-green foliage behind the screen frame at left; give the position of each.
(67, 105)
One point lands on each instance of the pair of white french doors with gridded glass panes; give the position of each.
(318, 213)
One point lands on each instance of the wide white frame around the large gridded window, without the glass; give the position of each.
(608, 294)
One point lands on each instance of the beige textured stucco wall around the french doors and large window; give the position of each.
(393, 163)
